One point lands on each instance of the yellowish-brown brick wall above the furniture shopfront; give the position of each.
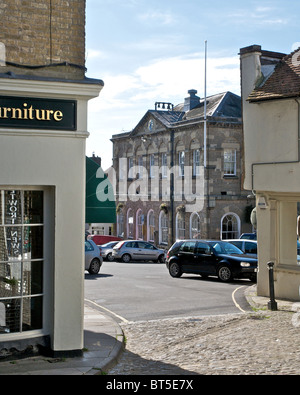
(43, 32)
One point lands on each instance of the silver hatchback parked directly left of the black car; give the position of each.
(137, 250)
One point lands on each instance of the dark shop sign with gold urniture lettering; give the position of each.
(21, 112)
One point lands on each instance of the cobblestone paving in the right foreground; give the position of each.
(258, 343)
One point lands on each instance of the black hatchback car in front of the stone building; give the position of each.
(210, 258)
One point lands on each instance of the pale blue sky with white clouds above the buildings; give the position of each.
(153, 50)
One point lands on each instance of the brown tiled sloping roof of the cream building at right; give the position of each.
(283, 82)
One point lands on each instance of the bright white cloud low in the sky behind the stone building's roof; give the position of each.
(125, 98)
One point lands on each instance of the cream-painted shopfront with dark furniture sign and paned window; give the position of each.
(43, 131)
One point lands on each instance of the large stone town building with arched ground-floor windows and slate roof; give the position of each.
(174, 183)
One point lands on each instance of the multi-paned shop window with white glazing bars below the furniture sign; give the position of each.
(21, 260)
